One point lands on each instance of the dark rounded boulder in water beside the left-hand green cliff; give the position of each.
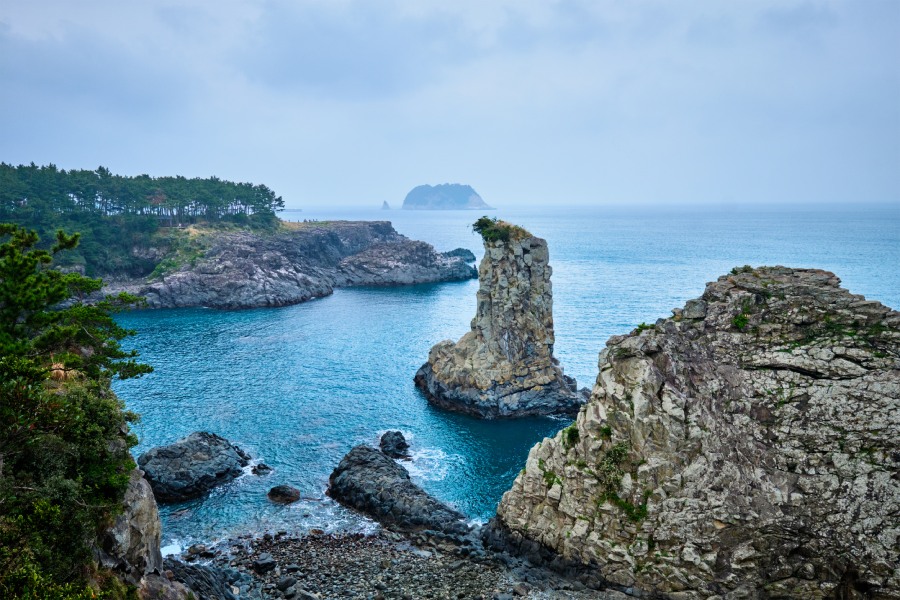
(191, 466)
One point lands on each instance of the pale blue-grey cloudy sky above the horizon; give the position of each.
(551, 102)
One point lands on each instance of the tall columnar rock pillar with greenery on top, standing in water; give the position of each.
(504, 366)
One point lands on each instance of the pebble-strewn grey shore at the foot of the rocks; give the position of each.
(380, 566)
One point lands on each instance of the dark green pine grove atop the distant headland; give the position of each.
(118, 214)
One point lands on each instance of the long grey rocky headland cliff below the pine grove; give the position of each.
(243, 269)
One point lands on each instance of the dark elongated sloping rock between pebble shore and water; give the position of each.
(370, 482)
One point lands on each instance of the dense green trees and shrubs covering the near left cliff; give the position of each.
(64, 441)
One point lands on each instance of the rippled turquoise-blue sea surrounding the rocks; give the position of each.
(298, 386)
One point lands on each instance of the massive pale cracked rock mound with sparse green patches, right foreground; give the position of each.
(747, 447)
